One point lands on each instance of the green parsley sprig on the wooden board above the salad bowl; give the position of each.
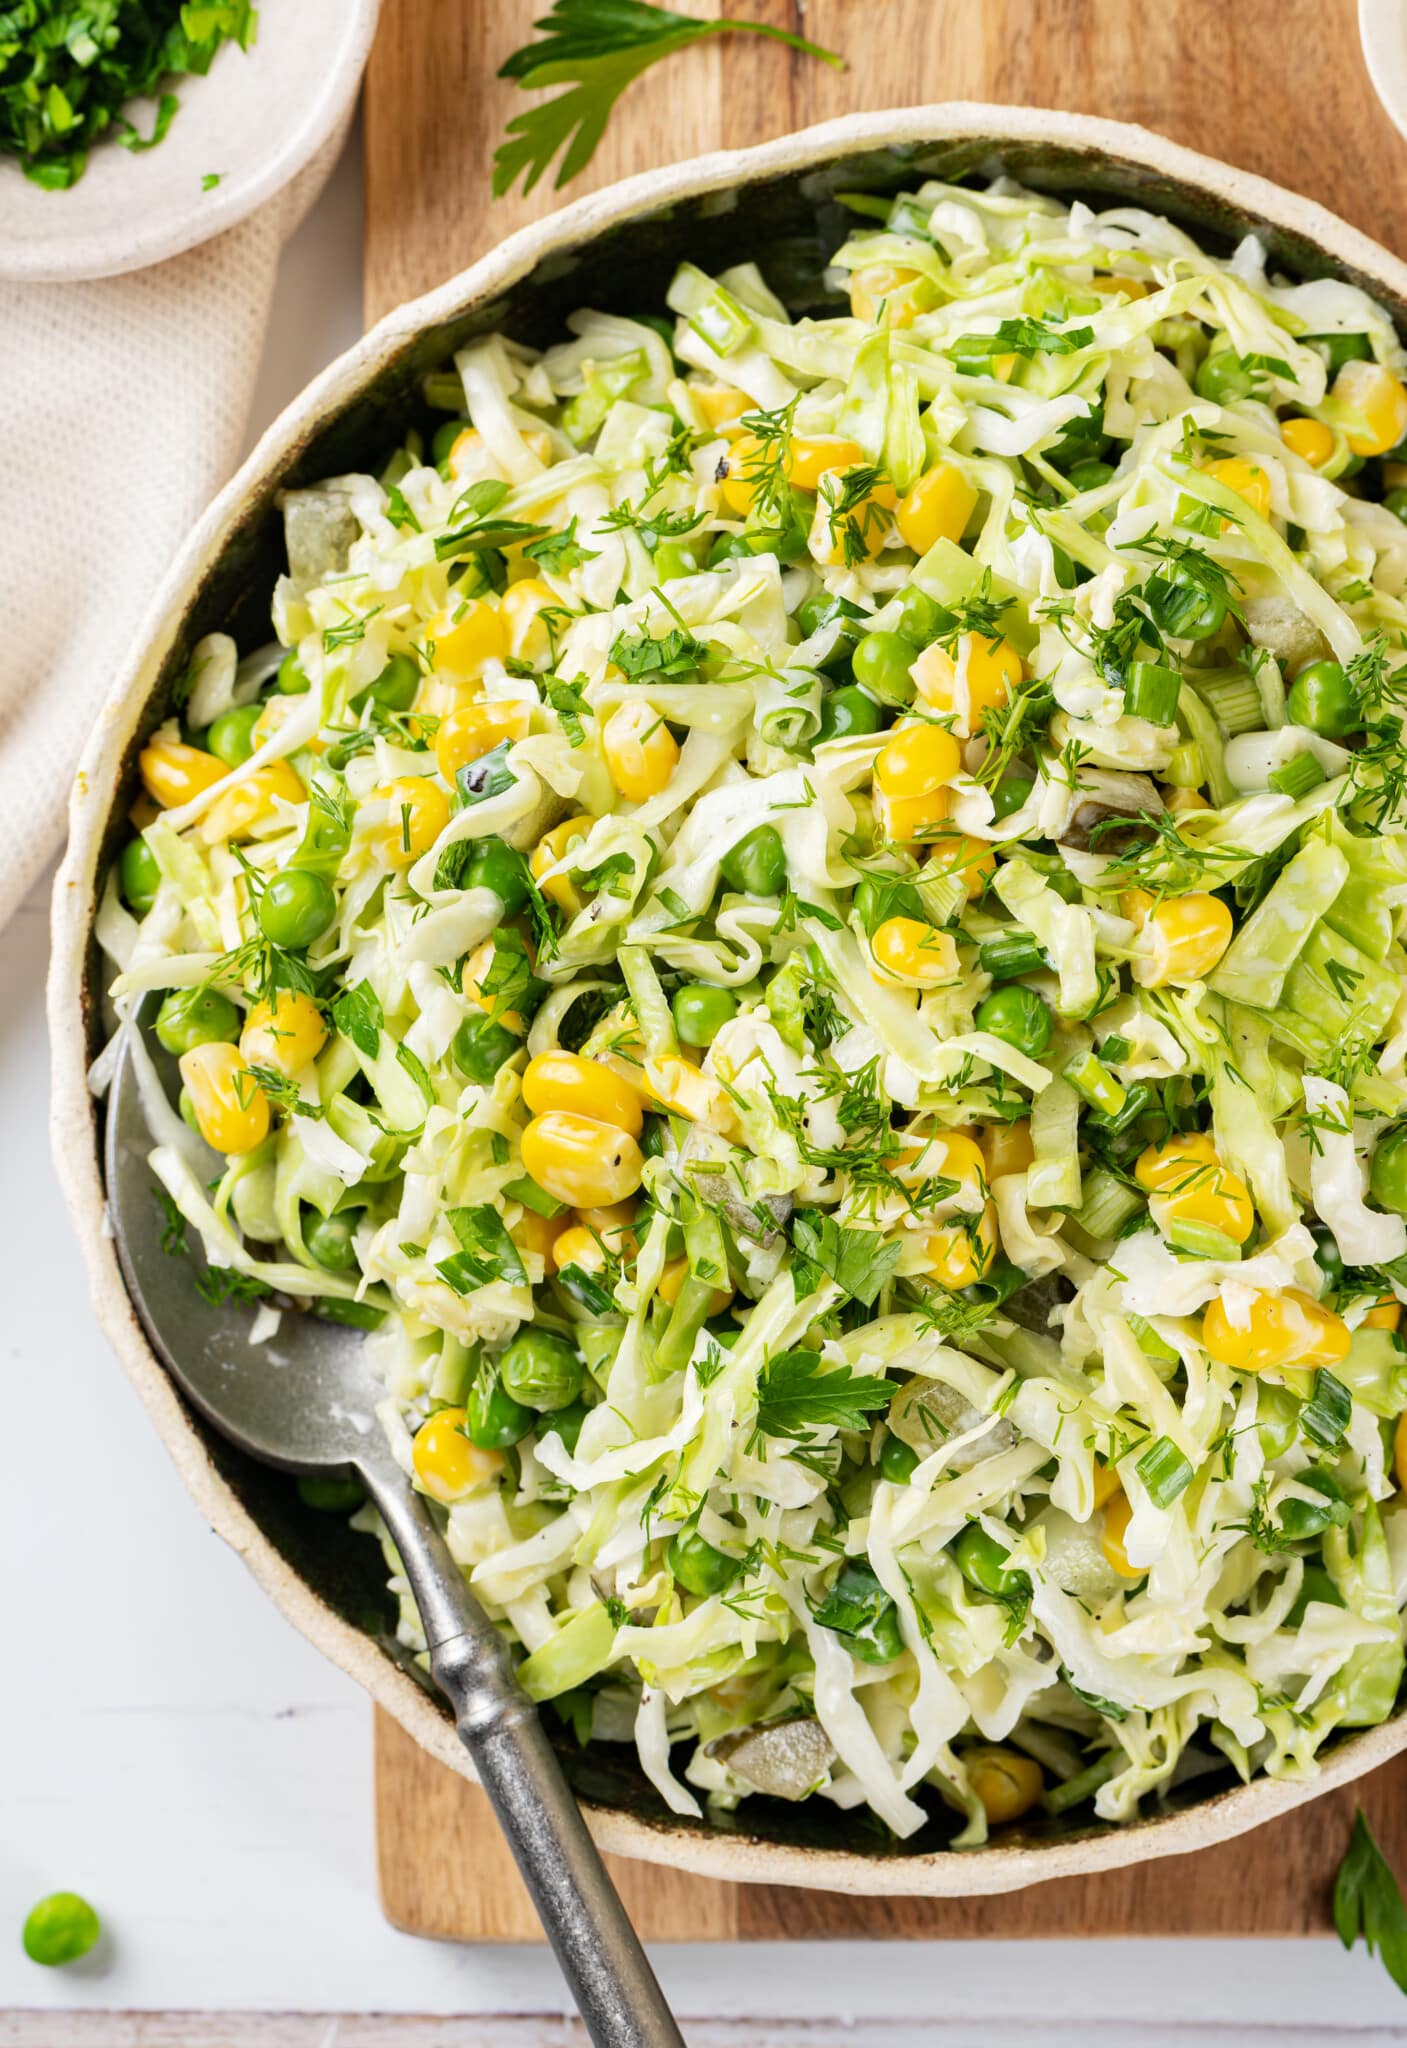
(597, 48)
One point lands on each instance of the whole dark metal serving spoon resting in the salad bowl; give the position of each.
(306, 1404)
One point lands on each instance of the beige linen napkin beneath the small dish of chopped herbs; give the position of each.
(122, 413)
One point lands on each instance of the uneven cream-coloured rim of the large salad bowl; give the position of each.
(734, 1857)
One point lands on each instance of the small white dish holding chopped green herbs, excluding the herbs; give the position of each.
(253, 124)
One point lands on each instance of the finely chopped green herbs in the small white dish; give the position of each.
(71, 71)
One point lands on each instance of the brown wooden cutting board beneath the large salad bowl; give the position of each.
(1277, 87)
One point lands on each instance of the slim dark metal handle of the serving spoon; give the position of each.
(601, 1957)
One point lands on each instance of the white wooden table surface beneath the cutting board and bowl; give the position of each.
(206, 1779)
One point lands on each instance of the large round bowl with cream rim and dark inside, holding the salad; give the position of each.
(613, 249)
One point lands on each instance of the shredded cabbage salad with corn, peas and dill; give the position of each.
(804, 923)
